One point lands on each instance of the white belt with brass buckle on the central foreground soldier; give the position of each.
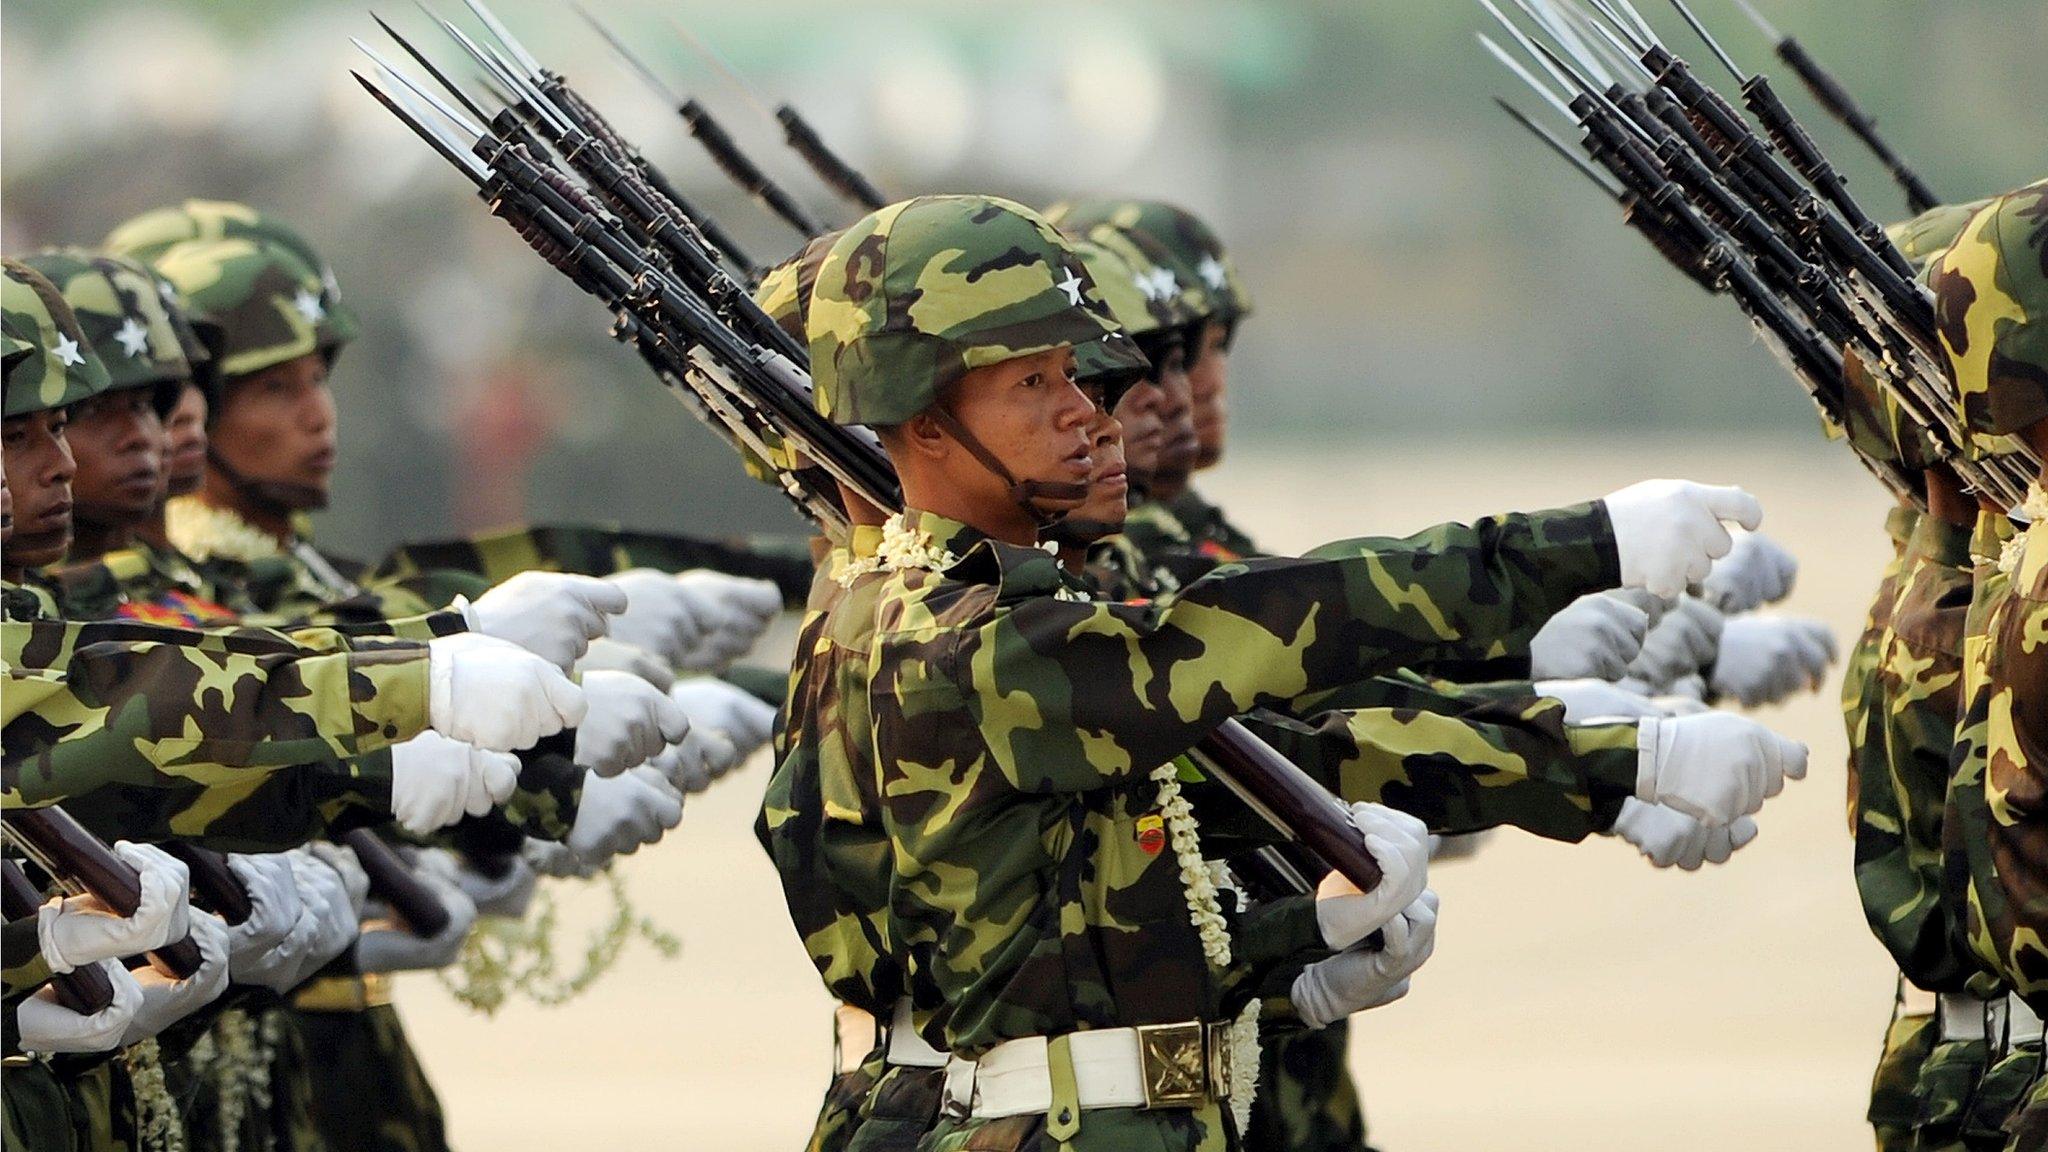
(1113, 1069)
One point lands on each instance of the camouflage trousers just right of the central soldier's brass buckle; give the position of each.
(1308, 1100)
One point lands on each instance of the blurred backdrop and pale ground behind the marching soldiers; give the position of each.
(1449, 325)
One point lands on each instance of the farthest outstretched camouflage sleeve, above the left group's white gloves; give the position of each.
(601, 550)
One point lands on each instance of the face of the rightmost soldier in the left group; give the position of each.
(278, 427)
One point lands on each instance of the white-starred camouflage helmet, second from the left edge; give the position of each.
(122, 313)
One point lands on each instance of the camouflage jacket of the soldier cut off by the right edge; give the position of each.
(2006, 686)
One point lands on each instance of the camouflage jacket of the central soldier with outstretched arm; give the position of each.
(1017, 727)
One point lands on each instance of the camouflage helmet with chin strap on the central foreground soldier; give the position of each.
(923, 292)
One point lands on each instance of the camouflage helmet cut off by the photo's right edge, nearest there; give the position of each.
(1992, 311)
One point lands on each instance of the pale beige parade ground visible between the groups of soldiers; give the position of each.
(1578, 999)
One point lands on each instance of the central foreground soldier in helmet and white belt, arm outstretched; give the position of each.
(974, 522)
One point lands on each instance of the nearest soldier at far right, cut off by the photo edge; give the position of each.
(1992, 298)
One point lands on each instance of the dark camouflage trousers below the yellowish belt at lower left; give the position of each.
(368, 1087)
